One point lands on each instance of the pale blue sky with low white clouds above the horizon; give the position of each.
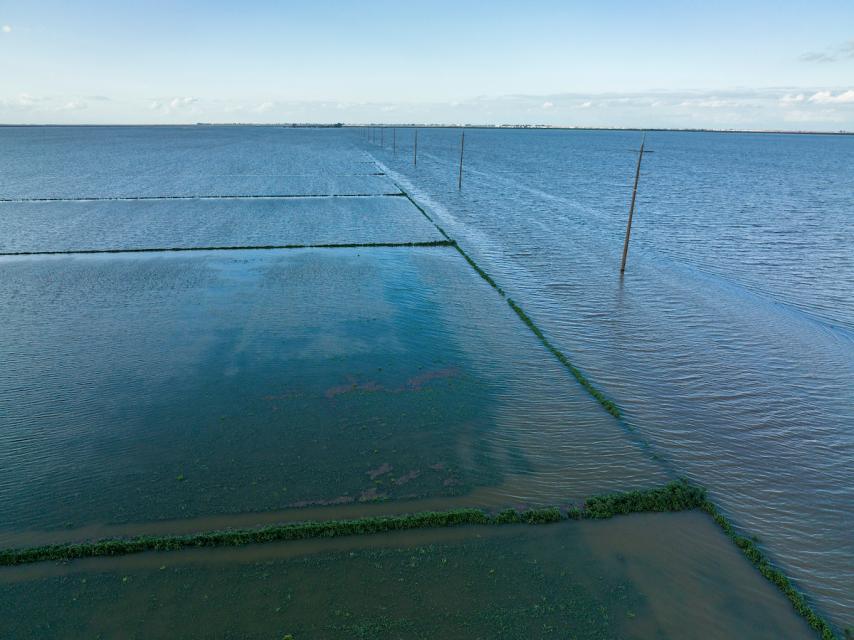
(758, 64)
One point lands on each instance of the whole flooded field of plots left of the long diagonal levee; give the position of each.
(270, 331)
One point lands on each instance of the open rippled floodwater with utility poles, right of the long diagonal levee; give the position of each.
(729, 343)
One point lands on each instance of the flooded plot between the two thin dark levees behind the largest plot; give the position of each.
(165, 224)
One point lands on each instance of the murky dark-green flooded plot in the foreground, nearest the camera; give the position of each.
(644, 576)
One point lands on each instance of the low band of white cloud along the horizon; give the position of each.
(809, 108)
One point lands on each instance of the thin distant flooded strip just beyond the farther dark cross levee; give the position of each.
(180, 185)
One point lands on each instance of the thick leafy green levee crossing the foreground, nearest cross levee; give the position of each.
(676, 496)
